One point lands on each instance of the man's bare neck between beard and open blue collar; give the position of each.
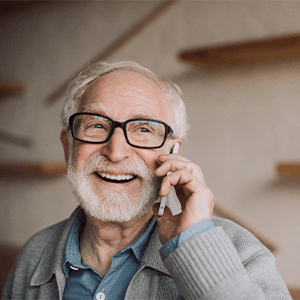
(100, 241)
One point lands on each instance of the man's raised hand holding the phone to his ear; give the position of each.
(195, 197)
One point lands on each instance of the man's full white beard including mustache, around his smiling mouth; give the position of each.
(107, 205)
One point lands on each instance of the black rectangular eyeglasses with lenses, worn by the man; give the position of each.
(140, 133)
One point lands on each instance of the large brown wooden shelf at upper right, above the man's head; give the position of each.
(257, 51)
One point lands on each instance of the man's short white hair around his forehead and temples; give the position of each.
(172, 92)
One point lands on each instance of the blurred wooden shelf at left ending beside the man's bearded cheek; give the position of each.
(26, 169)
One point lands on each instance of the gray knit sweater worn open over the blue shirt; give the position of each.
(226, 262)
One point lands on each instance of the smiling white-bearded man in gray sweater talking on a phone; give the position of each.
(120, 124)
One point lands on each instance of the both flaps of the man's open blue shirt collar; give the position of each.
(72, 251)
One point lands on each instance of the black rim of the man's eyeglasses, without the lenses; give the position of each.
(122, 125)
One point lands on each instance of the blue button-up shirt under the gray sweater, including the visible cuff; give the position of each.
(84, 282)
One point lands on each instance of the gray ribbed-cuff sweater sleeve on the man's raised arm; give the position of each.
(209, 266)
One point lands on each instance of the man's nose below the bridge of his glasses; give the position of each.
(116, 148)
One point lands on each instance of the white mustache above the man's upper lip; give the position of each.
(132, 165)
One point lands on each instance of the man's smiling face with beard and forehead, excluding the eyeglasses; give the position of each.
(114, 181)
